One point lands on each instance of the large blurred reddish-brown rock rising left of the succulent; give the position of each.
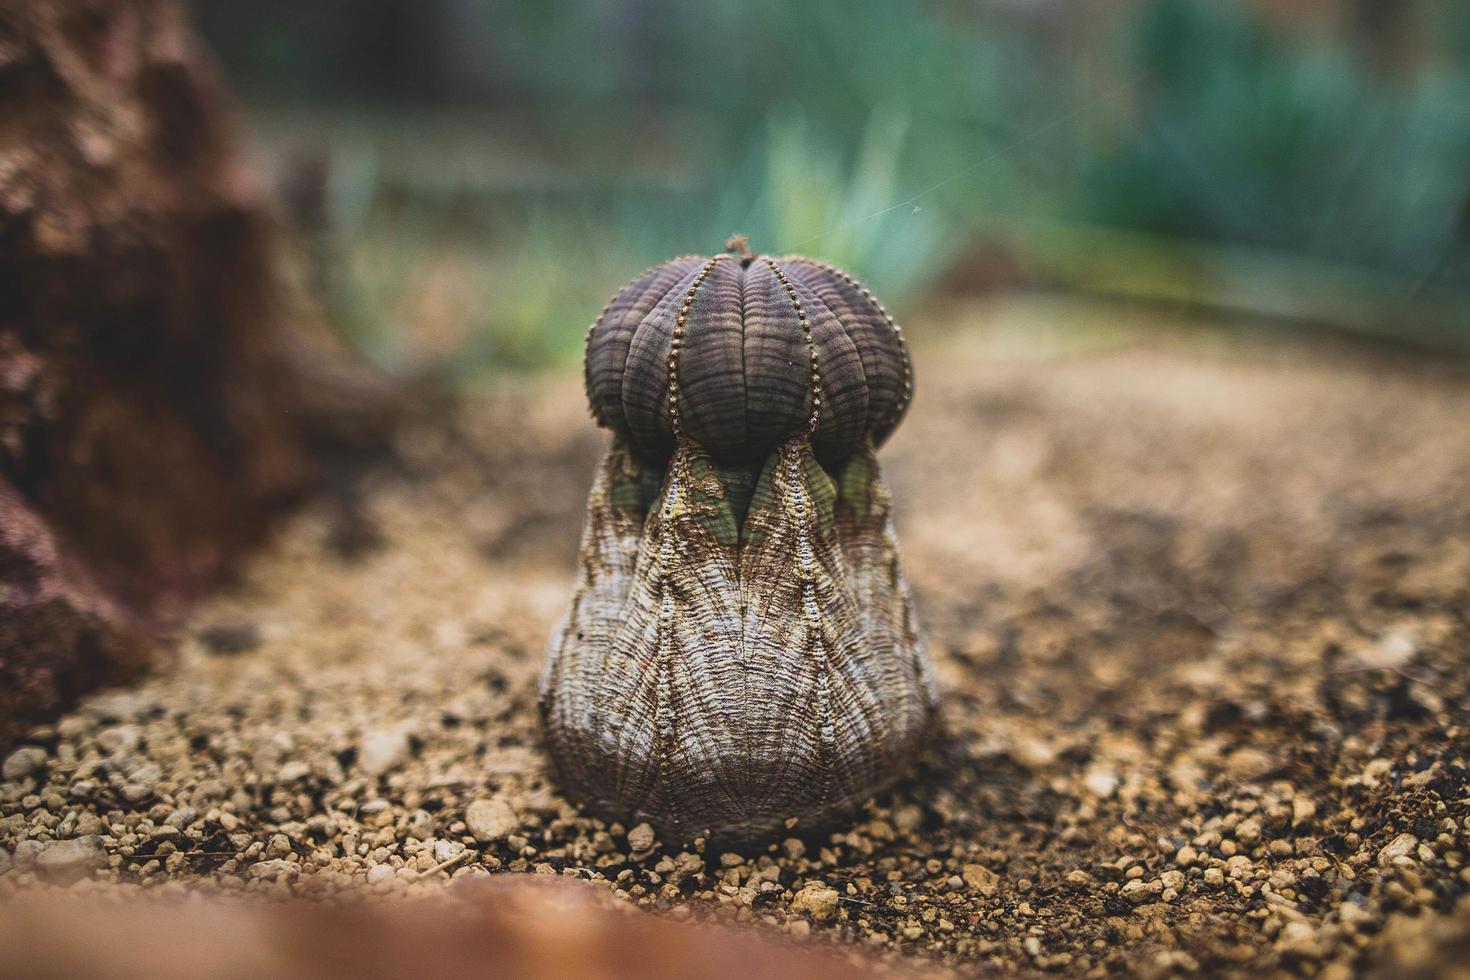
(159, 405)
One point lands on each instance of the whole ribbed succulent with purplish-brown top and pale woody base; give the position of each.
(742, 649)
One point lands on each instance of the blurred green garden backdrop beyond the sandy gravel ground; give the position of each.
(473, 179)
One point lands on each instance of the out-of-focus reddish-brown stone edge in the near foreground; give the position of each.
(511, 929)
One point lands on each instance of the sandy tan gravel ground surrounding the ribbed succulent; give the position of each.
(1199, 609)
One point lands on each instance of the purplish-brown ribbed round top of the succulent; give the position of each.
(740, 352)
